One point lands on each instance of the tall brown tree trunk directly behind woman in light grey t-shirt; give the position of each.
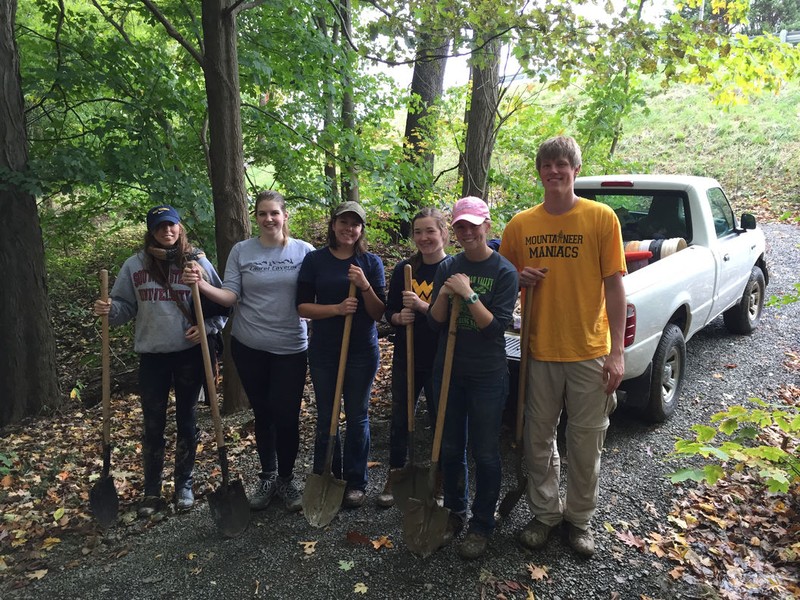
(221, 72)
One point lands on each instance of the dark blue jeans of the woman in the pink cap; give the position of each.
(473, 414)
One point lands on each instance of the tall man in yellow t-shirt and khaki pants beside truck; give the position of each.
(570, 256)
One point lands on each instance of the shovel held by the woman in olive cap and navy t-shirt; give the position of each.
(323, 494)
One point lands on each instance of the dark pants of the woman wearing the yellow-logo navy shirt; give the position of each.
(398, 434)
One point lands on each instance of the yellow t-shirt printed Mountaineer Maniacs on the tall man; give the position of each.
(580, 248)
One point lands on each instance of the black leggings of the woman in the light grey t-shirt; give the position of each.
(274, 385)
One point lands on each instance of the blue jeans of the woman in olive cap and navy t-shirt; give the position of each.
(359, 374)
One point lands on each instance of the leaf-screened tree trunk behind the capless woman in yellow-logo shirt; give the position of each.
(427, 84)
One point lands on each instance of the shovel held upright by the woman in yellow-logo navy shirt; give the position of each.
(409, 482)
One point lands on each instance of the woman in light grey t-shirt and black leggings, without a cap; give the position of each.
(268, 342)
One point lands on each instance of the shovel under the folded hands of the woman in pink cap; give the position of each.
(425, 522)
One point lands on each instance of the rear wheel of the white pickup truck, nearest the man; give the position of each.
(669, 366)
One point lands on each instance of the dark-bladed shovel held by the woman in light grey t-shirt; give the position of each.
(228, 503)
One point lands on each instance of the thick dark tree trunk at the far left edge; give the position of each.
(28, 379)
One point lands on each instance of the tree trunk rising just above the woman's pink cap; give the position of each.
(481, 131)
